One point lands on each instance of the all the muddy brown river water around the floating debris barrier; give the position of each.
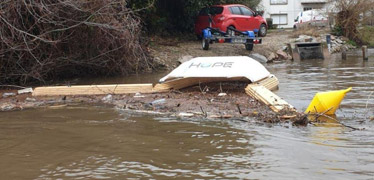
(88, 142)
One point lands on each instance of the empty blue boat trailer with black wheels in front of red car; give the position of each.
(214, 35)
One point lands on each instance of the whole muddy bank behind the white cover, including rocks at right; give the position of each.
(170, 52)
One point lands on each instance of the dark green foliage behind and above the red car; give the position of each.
(170, 16)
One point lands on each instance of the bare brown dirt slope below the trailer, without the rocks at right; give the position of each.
(167, 51)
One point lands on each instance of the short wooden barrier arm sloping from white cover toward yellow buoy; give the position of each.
(267, 97)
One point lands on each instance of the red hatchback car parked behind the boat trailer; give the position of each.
(237, 16)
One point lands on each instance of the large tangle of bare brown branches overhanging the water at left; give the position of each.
(43, 40)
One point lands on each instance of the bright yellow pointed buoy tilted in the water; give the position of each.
(326, 102)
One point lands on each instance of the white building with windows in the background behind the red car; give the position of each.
(284, 12)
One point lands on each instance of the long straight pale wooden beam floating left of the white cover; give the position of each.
(93, 89)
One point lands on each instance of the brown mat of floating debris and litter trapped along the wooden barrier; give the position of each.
(207, 101)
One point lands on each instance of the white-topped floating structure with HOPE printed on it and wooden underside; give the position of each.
(214, 69)
